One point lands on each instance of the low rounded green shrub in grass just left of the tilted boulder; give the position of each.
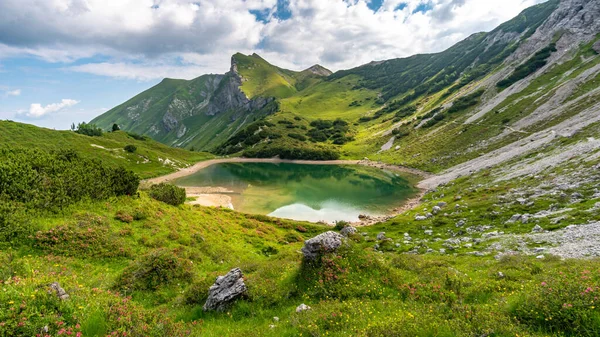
(157, 268)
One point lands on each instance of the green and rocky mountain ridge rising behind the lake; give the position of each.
(429, 110)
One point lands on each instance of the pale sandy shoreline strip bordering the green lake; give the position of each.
(216, 196)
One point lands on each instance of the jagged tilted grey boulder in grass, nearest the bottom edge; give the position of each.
(225, 290)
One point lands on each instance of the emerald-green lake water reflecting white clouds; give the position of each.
(306, 192)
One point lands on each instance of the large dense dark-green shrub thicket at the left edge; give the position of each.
(53, 180)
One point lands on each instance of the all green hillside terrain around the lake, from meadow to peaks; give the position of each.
(503, 242)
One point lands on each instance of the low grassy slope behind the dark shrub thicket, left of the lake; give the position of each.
(150, 159)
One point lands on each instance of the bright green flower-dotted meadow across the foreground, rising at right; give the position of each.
(139, 267)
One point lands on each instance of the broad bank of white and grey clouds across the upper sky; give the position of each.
(147, 39)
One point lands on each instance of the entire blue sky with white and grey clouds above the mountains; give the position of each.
(65, 61)
